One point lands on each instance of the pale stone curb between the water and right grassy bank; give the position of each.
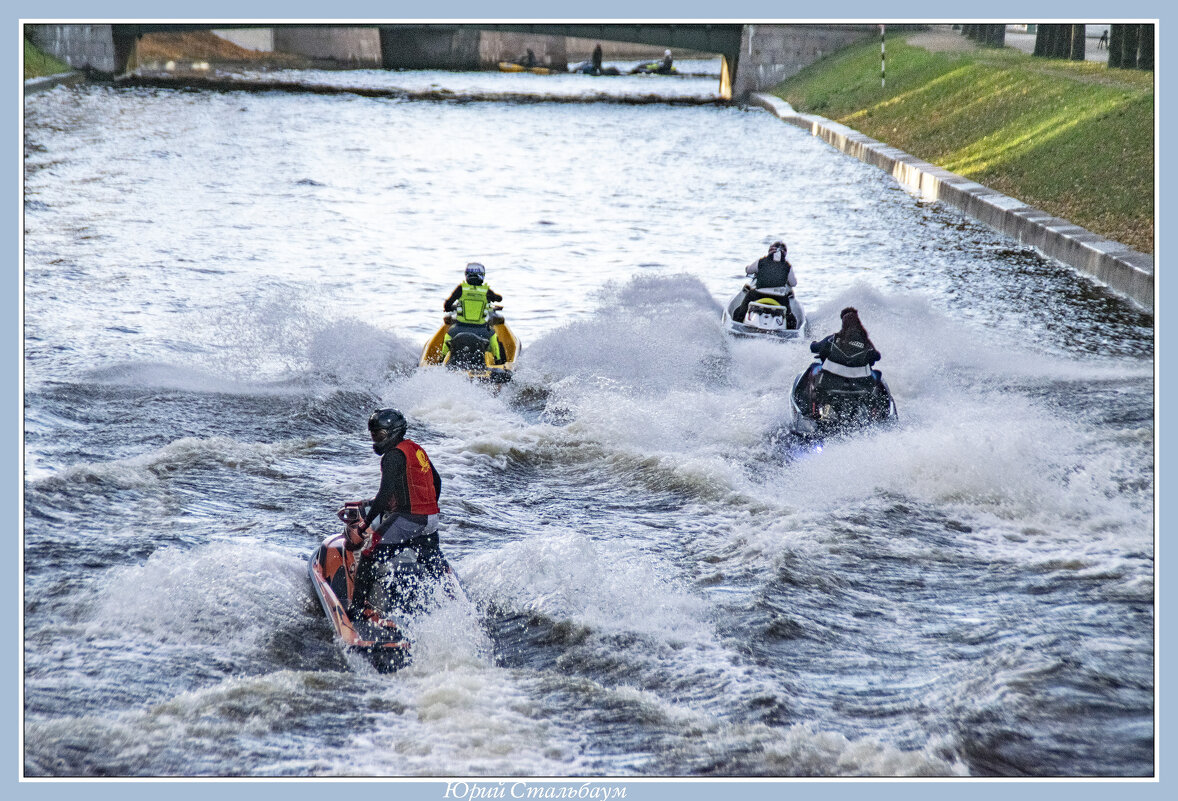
(1119, 267)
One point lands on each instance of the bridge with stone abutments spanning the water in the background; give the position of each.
(751, 56)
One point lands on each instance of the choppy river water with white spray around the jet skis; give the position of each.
(221, 287)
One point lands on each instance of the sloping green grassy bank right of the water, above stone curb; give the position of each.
(1075, 140)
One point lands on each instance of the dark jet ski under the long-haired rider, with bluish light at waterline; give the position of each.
(822, 412)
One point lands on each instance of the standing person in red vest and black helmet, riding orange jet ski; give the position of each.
(405, 511)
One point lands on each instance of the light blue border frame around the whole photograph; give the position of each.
(605, 10)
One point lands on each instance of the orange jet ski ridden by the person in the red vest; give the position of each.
(381, 640)
